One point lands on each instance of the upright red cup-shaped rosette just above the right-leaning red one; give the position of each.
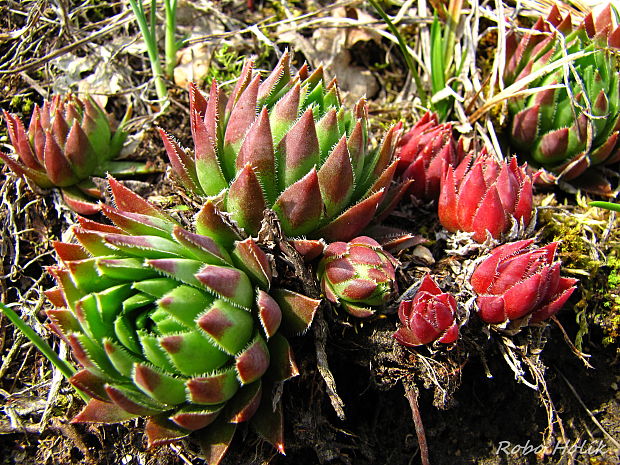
(485, 196)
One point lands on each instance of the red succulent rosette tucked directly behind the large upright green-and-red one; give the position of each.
(424, 153)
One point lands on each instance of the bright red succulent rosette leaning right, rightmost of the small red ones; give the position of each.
(519, 281)
